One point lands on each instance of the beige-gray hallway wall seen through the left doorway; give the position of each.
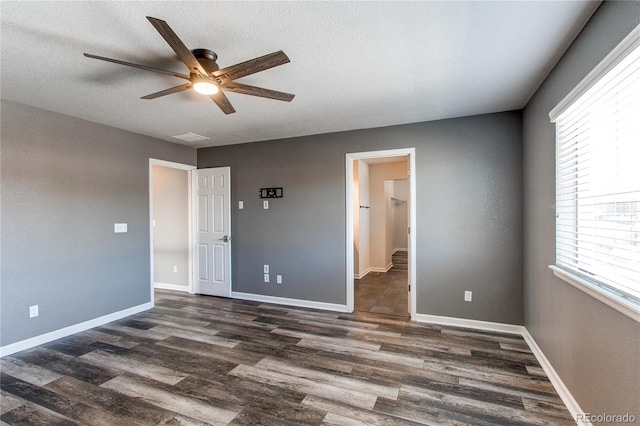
(171, 226)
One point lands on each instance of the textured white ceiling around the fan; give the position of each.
(353, 64)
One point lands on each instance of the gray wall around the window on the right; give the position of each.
(595, 349)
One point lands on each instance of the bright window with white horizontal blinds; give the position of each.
(598, 178)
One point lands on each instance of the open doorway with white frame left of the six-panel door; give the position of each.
(170, 225)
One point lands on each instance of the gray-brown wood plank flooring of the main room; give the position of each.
(195, 360)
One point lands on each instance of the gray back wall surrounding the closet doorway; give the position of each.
(469, 213)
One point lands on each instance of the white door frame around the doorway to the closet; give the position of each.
(350, 158)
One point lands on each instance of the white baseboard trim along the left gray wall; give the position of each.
(72, 329)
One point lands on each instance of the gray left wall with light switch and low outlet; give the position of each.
(65, 182)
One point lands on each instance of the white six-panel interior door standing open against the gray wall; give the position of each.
(212, 231)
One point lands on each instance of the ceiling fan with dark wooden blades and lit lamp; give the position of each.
(205, 76)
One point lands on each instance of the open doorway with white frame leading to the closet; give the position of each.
(381, 232)
